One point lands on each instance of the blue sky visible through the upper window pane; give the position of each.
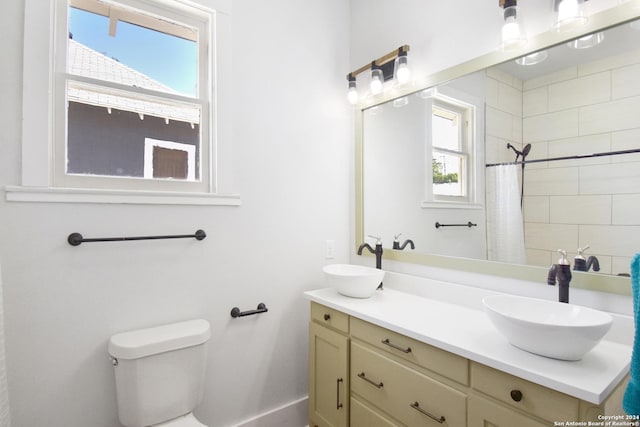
(168, 59)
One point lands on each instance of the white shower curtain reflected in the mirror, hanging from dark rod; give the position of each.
(505, 230)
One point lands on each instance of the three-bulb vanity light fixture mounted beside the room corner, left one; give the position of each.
(394, 63)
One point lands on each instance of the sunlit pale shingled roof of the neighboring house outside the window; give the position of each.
(84, 61)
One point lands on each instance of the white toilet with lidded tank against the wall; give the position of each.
(159, 373)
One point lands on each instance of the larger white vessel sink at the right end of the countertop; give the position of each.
(547, 328)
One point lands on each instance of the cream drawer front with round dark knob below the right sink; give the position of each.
(538, 400)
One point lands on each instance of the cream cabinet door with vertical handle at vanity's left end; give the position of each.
(328, 377)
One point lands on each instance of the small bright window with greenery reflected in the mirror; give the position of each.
(451, 151)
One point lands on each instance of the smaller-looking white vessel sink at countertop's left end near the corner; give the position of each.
(352, 280)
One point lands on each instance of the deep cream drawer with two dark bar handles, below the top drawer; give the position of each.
(407, 395)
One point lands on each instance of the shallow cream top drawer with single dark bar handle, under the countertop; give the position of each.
(425, 355)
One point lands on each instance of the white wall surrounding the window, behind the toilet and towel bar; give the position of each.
(292, 142)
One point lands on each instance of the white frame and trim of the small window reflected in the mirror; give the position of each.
(473, 146)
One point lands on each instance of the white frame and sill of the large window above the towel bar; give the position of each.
(41, 120)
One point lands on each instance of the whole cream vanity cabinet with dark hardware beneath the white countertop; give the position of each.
(363, 375)
